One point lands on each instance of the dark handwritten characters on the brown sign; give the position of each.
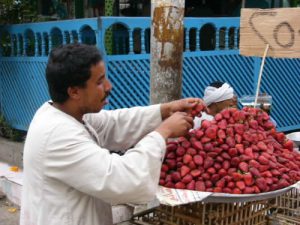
(276, 31)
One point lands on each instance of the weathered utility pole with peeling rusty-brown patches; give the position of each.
(166, 50)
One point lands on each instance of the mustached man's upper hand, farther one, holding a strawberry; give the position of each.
(182, 105)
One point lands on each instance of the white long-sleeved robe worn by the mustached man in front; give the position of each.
(70, 177)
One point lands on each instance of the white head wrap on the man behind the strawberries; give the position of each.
(212, 94)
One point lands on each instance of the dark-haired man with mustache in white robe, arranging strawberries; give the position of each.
(70, 175)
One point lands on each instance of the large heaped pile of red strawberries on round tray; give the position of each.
(239, 152)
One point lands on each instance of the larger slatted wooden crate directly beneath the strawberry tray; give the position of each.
(251, 213)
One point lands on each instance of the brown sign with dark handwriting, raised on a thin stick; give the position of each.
(280, 28)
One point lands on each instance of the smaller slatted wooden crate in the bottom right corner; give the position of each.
(286, 209)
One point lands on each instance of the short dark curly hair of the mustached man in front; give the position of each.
(68, 66)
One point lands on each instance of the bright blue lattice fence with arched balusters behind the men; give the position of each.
(211, 53)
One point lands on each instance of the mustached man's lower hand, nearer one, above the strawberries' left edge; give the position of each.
(176, 125)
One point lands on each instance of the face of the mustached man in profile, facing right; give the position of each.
(96, 91)
